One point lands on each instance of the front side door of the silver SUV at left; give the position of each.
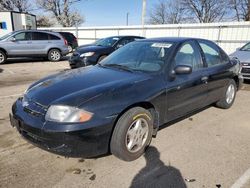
(21, 46)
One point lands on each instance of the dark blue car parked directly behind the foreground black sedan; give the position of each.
(93, 53)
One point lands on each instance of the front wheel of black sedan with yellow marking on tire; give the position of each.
(132, 134)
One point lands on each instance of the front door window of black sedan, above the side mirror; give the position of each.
(189, 55)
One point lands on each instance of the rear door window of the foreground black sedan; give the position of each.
(212, 53)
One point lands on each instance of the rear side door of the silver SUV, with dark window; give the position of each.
(40, 42)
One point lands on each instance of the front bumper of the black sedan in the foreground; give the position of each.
(76, 140)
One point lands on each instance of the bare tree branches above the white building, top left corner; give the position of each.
(18, 5)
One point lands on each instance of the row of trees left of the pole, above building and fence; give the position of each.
(50, 12)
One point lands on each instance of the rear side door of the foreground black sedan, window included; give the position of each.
(218, 69)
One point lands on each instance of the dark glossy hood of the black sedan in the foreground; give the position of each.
(75, 87)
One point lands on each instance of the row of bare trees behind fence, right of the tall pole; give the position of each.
(201, 11)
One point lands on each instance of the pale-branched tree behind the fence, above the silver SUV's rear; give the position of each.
(62, 11)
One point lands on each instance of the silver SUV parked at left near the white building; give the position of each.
(33, 43)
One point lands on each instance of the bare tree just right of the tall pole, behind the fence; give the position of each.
(167, 11)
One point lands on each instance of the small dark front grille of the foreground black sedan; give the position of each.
(33, 108)
